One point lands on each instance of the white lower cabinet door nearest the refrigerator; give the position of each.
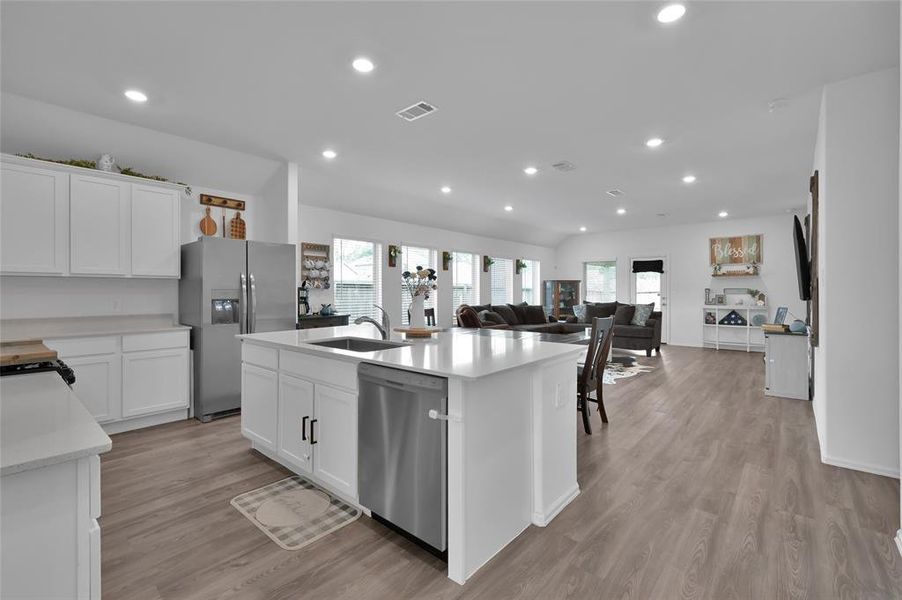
(154, 381)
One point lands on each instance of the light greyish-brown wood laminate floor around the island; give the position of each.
(700, 487)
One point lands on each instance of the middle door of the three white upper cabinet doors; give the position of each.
(99, 226)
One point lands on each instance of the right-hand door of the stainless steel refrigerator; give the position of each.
(273, 303)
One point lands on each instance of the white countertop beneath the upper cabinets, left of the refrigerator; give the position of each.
(63, 327)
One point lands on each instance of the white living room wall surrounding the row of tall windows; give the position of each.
(321, 225)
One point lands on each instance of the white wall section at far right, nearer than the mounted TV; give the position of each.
(857, 398)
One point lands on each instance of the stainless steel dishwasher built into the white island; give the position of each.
(402, 451)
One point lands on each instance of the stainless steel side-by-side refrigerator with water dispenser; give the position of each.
(230, 287)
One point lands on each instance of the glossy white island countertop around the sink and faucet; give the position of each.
(458, 352)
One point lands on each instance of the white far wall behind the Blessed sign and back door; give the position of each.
(689, 271)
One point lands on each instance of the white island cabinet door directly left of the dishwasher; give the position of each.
(335, 439)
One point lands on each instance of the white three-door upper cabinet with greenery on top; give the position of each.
(62, 220)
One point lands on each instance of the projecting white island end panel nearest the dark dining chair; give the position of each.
(554, 439)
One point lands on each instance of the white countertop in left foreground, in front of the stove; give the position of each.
(42, 423)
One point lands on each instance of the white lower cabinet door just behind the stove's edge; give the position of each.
(98, 384)
